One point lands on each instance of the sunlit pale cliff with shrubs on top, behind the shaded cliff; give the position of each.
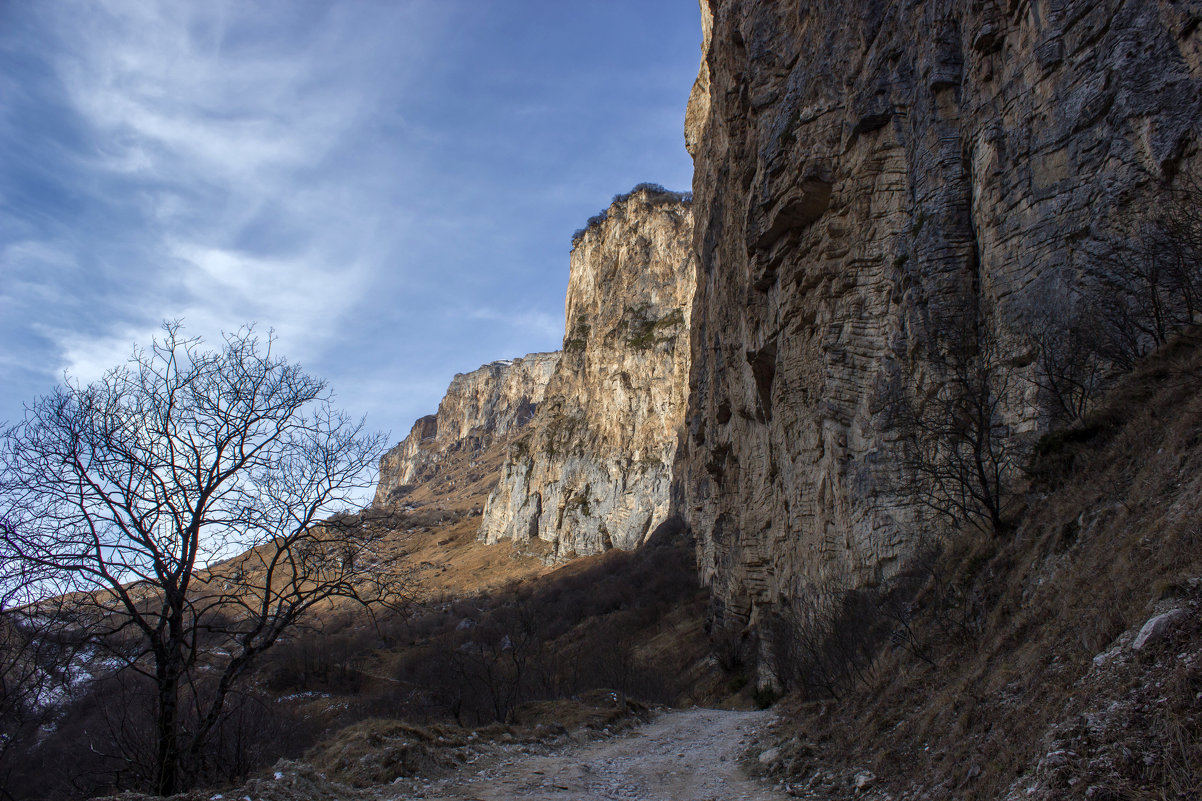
(594, 468)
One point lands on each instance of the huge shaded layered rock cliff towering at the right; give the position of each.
(868, 177)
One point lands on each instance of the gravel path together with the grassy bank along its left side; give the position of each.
(680, 756)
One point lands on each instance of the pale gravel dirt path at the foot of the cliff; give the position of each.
(687, 756)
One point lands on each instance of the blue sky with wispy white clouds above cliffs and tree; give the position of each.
(391, 187)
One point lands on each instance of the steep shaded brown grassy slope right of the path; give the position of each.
(1010, 668)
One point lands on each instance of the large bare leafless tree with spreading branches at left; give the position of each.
(132, 490)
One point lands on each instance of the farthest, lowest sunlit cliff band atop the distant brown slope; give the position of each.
(480, 408)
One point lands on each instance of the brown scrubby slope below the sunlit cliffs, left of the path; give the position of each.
(620, 621)
